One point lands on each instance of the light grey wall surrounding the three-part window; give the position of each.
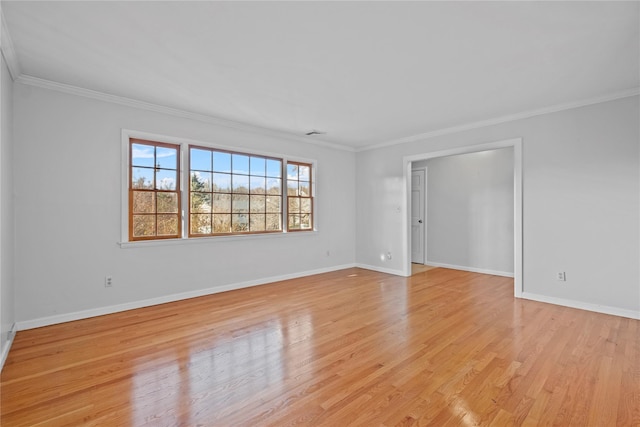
(68, 211)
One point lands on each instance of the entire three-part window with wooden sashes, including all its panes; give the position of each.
(213, 192)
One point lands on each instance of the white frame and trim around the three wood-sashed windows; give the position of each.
(184, 191)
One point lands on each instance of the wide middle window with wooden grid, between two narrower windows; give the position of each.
(233, 193)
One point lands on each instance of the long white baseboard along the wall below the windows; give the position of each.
(100, 311)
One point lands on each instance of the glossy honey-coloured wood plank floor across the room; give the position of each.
(352, 347)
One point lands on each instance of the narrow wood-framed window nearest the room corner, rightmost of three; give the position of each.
(299, 197)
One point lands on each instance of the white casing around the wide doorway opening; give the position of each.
(516, 143)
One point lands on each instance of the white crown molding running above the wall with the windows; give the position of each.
(134, 103)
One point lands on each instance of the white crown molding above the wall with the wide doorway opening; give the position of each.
(505, 119)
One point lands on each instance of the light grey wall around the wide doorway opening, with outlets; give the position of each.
(581, 196)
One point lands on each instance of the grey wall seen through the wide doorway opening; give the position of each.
(470, 211)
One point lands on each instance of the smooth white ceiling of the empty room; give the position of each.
(364, 72)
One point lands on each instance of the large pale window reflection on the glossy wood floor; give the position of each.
(249, 363)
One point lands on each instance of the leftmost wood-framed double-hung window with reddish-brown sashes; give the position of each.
(154, 190)
